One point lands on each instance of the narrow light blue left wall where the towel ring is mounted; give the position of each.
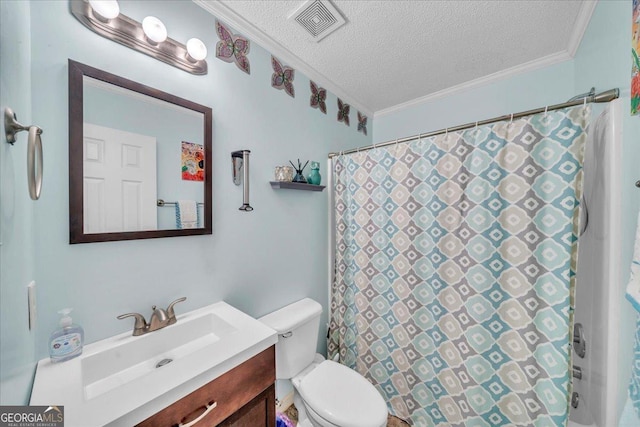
(16, 209)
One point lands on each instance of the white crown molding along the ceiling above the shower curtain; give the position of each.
(543, 62)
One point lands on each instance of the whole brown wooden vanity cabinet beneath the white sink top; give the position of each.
(242, 397)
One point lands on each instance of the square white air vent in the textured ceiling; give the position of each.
(318, 17)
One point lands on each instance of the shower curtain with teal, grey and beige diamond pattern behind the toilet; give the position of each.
(455, 263)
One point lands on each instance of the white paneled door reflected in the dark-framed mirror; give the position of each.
(119, 173)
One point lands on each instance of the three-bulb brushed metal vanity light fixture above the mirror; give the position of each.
(149, 37)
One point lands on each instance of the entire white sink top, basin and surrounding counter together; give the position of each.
(118, 381)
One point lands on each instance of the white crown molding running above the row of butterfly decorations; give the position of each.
(230, 17)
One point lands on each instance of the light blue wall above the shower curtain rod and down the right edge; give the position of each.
(603, 60)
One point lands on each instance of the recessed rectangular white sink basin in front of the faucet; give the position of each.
(116, 365)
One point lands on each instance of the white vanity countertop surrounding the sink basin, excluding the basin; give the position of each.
(136, 400)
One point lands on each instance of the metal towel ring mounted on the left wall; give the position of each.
(34, 150)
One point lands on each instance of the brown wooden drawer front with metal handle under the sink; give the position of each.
(229, 392)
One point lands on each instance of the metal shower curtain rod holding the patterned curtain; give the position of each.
(606, 96)
